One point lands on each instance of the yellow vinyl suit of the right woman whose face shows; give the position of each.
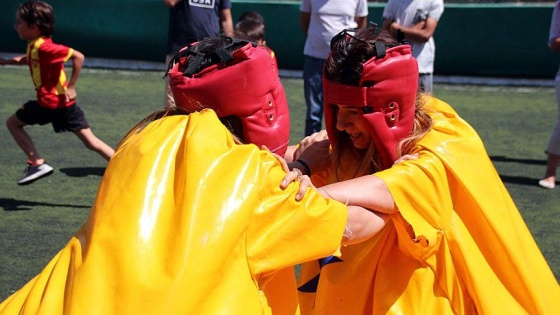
(457, 246)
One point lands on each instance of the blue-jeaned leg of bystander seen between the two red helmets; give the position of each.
(313, 90)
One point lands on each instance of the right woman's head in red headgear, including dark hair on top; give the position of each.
(377, 76)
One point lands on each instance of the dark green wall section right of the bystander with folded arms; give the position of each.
(495, 40)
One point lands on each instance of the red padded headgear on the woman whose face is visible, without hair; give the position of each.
(388, 105)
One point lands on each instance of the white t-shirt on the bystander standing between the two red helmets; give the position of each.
(328, 18)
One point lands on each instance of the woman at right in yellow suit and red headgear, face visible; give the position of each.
(454, 242)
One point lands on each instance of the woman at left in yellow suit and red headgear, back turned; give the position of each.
(189, 221)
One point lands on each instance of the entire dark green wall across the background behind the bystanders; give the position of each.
(504, 40)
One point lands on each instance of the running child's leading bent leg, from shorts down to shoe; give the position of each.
(15, 124)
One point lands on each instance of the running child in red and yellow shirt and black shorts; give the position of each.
(56, 96)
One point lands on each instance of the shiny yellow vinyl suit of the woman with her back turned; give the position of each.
(186, 222)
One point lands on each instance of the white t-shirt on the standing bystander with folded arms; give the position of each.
(408, 13)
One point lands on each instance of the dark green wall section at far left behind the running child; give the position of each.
(123, 29)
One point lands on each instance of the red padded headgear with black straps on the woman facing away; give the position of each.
(245, 85)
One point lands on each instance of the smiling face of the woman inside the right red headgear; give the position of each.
(349, 120)
